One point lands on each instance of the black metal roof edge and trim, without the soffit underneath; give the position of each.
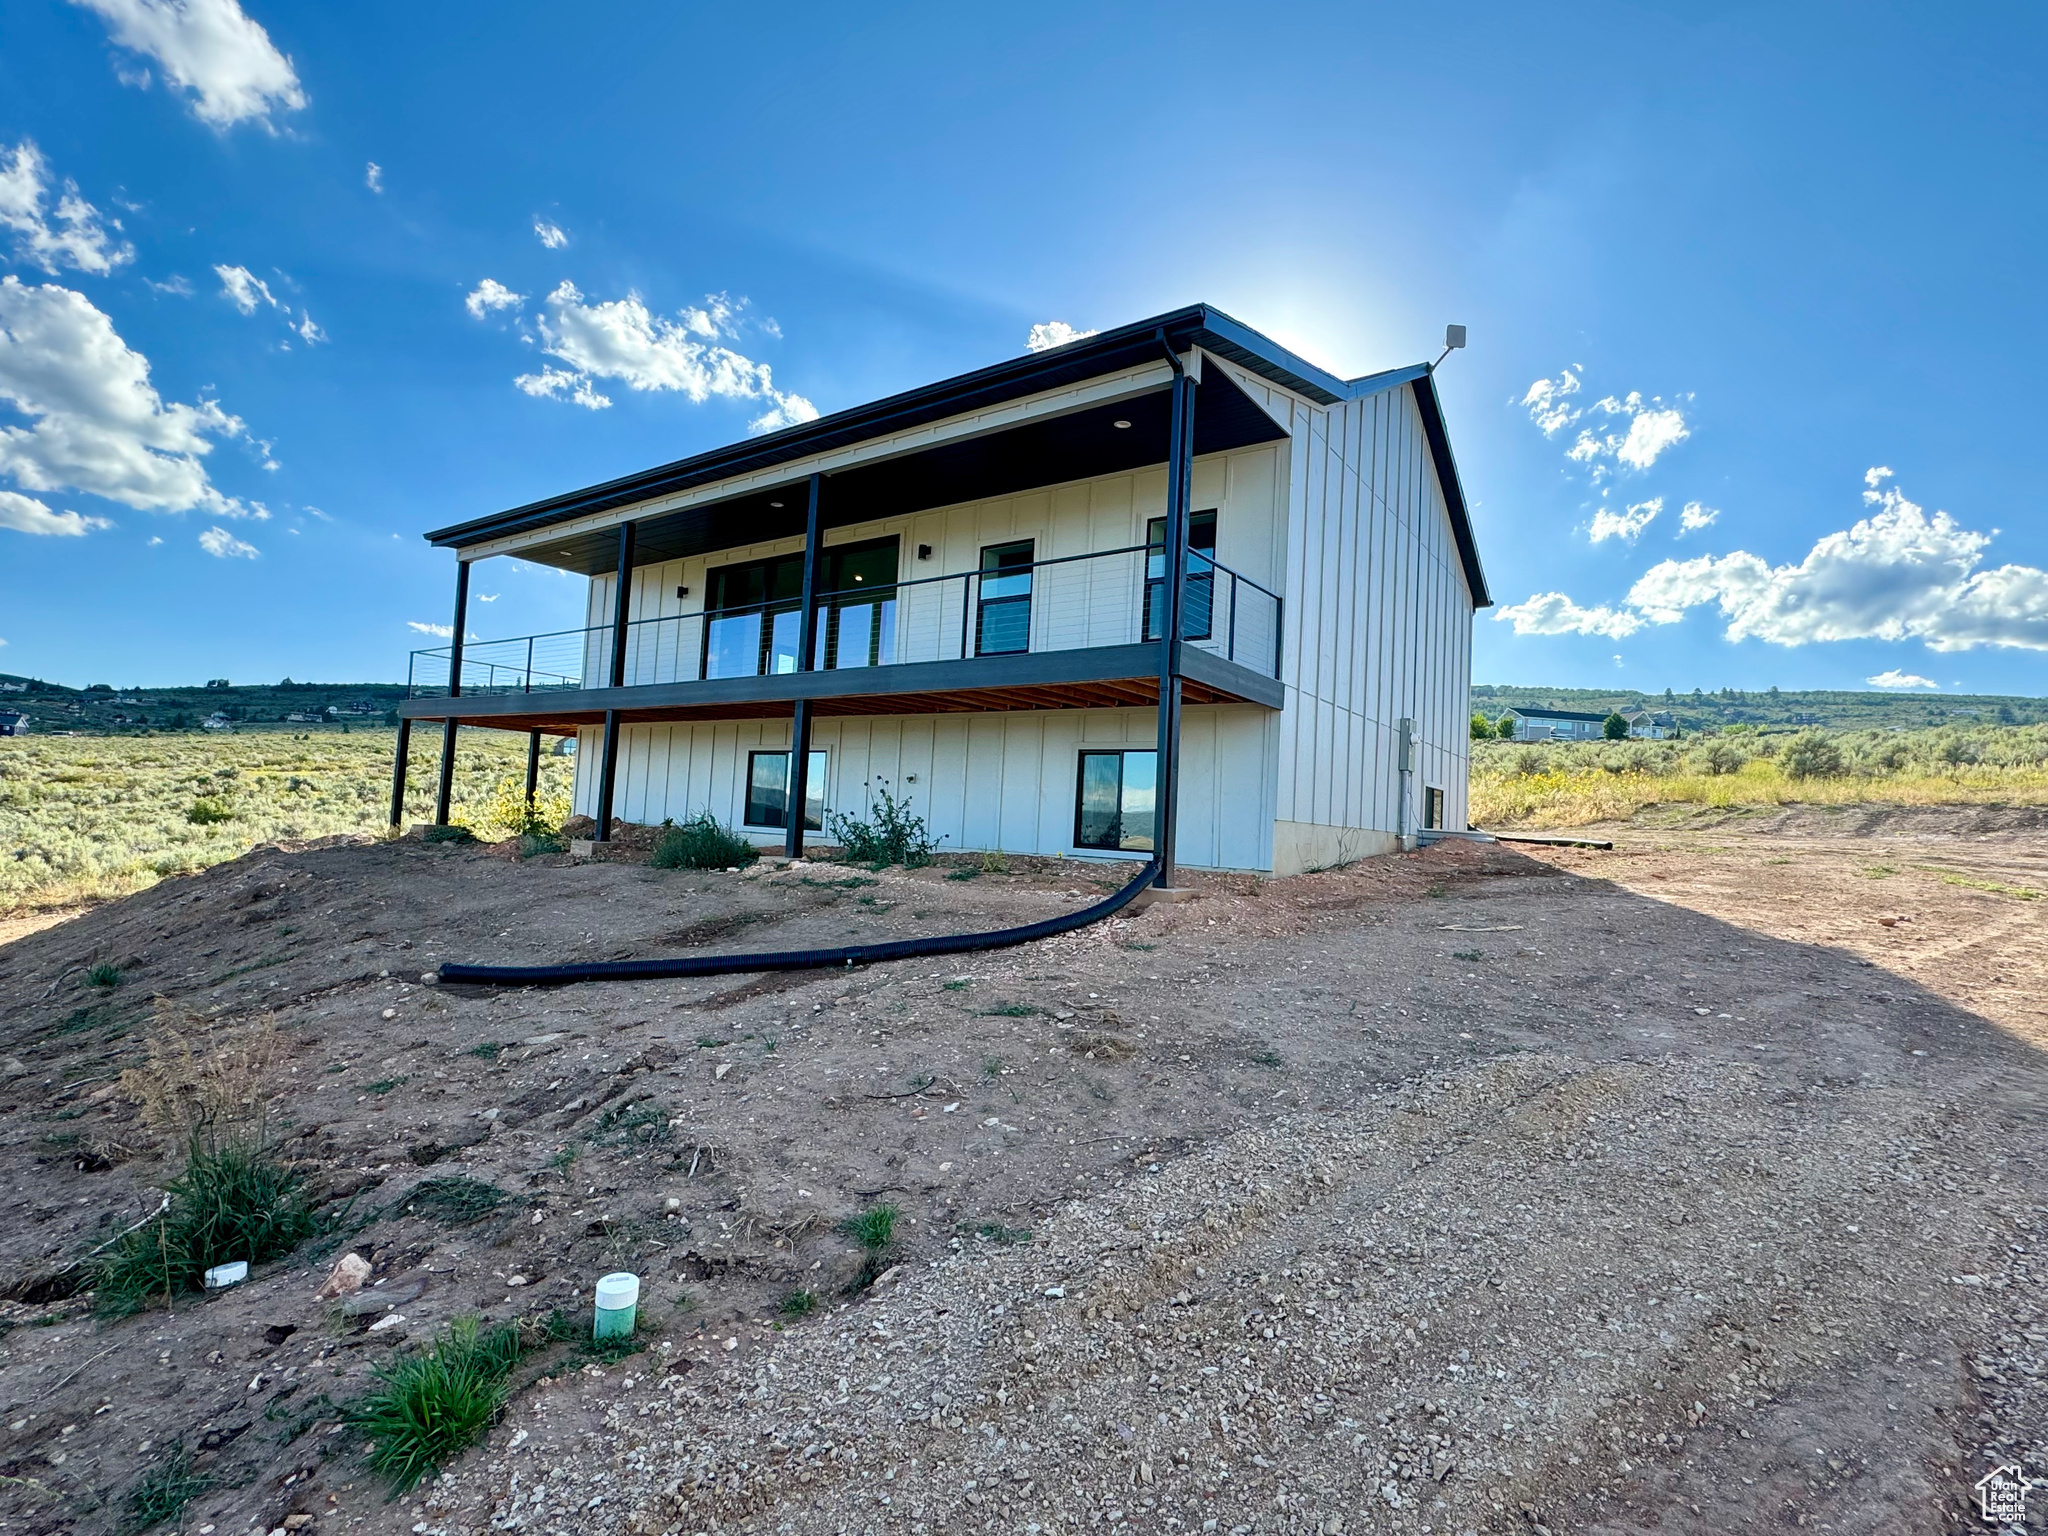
(1029, 376)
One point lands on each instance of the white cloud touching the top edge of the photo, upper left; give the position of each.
(212, 50)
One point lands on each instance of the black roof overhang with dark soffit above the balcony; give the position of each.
(1091, 384)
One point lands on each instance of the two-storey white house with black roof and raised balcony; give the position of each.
(966, 595)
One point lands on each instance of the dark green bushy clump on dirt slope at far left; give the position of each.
(234, 1201)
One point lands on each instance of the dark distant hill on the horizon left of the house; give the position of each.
(103, 710)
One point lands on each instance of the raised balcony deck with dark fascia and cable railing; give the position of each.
(912, 644)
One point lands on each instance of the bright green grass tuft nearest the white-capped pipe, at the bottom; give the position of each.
(431, 1408)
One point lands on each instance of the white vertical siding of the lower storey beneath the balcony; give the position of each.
(982, 781)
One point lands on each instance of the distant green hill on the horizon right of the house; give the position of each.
(1838, 710)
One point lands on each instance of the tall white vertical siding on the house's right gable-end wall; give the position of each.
(1379, 628)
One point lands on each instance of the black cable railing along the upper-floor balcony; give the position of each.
(1064, 603)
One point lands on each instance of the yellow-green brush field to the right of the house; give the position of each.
(1578, 783)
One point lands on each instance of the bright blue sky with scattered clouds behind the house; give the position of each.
(1758, 255)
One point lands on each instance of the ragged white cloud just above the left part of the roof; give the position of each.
(650, 353)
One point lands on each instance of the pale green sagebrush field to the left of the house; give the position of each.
(89, 818)
